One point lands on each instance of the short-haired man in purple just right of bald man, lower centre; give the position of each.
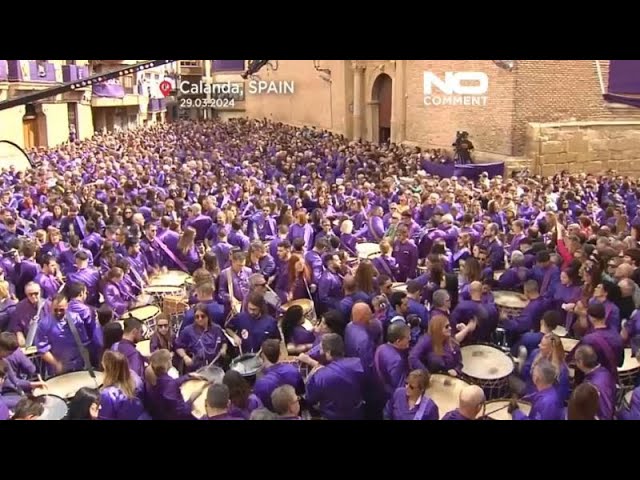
(391, 361)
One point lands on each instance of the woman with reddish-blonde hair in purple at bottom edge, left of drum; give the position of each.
(411, 401)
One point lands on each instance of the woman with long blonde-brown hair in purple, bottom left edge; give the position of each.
(121, 396)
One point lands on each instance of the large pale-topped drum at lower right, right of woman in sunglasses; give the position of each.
(488, 367)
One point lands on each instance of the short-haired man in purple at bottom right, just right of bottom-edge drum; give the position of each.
(545, 402)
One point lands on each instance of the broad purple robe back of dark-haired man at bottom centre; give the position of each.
(337, 389)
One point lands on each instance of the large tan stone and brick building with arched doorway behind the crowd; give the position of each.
(546, 114)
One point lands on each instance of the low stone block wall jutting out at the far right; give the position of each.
(592, 147)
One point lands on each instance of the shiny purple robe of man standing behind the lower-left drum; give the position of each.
(55, 336)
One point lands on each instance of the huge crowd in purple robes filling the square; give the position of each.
(266, 220)
